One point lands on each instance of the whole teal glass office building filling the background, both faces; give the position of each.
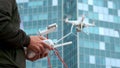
(99, 49)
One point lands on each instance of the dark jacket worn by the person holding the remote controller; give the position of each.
(12, 39)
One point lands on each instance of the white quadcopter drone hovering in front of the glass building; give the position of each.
(79, 24)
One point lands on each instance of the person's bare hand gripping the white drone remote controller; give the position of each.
(40, 48)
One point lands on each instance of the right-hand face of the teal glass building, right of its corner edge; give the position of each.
(100, 49)
